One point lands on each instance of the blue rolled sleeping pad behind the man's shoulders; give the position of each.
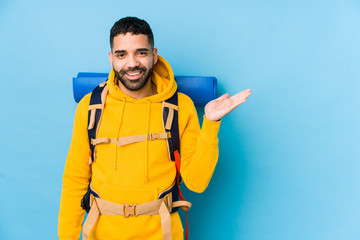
(200, 89)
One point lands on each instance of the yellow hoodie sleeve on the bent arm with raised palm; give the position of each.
(198, 148)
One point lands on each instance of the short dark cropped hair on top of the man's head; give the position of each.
(132, 25)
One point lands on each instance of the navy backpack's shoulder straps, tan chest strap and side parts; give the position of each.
(171, 134)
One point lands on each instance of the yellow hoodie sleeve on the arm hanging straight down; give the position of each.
(76, 177)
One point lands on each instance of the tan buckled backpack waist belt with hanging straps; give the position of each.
(163, 207)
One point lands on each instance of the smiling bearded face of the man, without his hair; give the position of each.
(132, 59)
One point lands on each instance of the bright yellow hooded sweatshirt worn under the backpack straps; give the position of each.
(138, 172)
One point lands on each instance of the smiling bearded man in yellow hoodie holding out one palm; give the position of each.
(123, 175)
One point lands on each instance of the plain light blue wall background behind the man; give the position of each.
(289, 157)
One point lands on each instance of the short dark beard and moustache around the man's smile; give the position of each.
(134, 85)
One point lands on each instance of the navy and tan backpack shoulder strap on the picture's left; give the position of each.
(96, 107)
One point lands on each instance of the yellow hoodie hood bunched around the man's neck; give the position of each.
(162, 77)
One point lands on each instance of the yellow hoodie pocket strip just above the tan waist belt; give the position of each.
(122, 195)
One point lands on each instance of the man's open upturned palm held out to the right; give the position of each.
(218, 108)
